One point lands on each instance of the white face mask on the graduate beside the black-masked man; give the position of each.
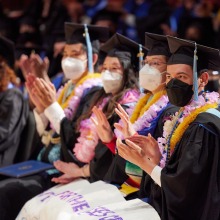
(150, 78)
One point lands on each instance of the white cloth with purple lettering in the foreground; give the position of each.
(80, 200)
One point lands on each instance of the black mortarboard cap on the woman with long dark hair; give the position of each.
(124, 48)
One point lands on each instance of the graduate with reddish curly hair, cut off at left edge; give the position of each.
(13, 107)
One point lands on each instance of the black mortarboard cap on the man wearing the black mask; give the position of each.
(183, 53)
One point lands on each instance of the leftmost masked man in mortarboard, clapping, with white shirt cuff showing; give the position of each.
(54, 115)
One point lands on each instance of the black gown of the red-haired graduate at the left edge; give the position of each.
(13, 115)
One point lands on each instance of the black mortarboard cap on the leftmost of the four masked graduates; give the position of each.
(75, 33)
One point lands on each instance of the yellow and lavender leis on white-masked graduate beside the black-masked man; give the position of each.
(143, 113)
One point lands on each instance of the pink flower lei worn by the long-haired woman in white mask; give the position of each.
(84, 149)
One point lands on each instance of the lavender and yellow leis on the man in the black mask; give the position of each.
(175, 127)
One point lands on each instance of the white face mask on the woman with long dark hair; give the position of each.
(111, 81)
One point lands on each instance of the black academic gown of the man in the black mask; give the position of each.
(190, 183)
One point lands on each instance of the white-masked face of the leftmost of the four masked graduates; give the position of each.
(74, 61)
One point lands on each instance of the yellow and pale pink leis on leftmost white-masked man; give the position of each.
(71, 103)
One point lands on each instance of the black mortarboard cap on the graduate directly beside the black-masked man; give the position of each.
(157, 44)
